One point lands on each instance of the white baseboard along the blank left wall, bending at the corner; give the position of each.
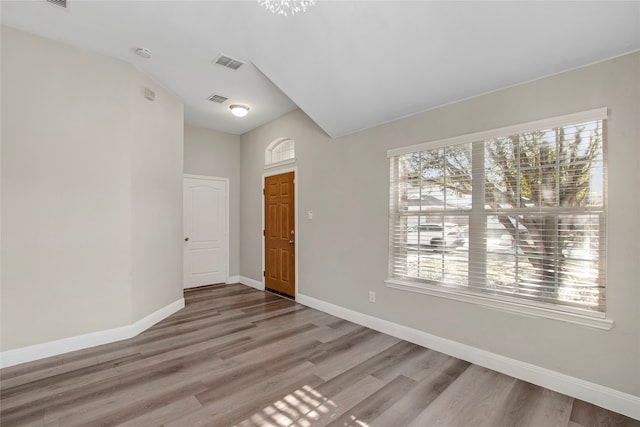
(65, 345)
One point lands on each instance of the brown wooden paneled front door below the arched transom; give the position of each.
(279, 214)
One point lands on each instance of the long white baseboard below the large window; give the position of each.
(605, 397)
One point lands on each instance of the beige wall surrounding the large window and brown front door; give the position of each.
(343, 250)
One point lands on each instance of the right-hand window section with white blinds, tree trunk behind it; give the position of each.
(544, 203)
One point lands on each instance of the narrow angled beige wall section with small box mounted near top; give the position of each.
(156, 199)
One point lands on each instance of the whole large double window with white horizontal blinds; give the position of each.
(517, 213)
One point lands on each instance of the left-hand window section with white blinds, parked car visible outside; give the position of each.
(431, 201)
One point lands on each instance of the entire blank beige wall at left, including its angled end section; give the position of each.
(91, 193)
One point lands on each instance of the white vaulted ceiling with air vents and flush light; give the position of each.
(349, 65)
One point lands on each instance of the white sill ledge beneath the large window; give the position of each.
(531, 309)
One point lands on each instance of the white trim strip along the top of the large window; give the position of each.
(575, 118)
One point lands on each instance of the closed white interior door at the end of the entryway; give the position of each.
(205, 231)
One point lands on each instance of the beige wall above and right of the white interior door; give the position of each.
(212, 153)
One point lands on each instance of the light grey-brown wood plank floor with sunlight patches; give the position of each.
(238, 356)
